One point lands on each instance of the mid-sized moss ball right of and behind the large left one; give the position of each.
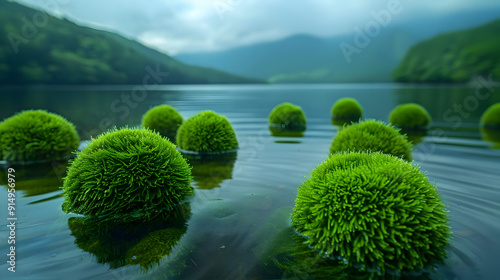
(207, 132)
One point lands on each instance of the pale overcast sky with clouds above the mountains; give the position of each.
(181, 26)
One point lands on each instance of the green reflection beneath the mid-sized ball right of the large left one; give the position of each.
(209, 171)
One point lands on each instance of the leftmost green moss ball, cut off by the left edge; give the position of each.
(36, 135)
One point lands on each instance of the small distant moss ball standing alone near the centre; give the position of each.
(287, 117)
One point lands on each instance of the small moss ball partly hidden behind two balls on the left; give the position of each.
(163, 119)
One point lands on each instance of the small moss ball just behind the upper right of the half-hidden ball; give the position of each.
(409, 116)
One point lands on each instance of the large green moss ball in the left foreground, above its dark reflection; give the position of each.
(128, 174)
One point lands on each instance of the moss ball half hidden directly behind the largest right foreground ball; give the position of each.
(372, 136)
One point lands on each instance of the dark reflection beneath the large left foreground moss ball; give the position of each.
(119, 244)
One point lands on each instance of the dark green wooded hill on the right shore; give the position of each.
(454, 57)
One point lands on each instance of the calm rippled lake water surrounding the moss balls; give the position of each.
(240, 215)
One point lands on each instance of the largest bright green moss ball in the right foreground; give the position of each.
(372, 209)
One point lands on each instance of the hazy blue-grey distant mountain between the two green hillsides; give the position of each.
(305, 58)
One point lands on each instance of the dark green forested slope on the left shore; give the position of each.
(36, 48)
